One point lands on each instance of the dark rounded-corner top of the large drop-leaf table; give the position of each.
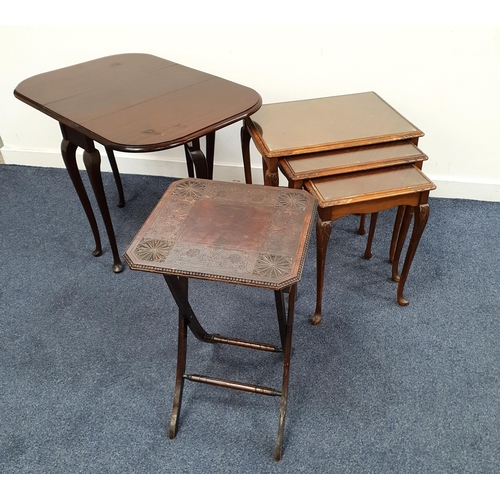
(138, 102)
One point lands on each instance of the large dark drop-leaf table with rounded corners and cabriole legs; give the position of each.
(134, 103)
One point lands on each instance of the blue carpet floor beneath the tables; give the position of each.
(87, 357)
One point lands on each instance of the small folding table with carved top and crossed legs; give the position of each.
(233, 233)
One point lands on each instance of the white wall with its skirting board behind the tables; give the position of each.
(443, 78)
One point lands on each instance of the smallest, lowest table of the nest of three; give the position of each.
(371, 192)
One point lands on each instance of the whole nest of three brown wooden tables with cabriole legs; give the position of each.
(356, 154)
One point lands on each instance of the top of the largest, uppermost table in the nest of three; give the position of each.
(328, 123)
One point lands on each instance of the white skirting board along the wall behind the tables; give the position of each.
(151, 164)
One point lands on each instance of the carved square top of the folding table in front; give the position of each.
(226, 231)
